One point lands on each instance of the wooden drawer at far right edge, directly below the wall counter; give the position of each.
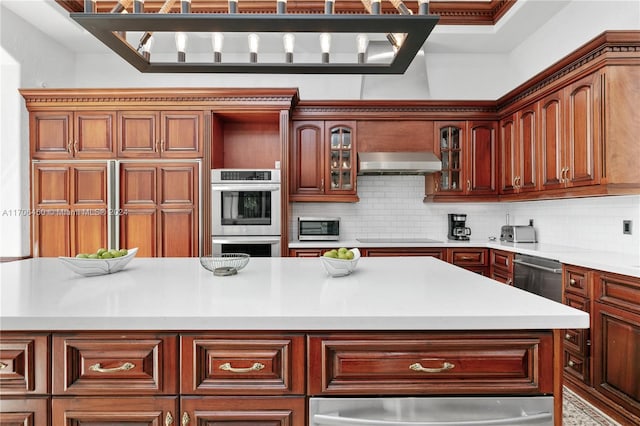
(619, 290)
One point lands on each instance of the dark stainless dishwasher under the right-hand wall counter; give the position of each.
(539, 276)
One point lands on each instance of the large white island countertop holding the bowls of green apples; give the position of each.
(411, 293)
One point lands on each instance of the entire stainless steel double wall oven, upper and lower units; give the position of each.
(246, 211)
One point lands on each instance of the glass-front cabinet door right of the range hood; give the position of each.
(450, 139)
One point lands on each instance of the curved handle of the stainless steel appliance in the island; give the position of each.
(326, 419)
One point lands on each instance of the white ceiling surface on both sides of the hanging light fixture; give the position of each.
(525, 17)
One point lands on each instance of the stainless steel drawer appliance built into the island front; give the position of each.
(432, 411)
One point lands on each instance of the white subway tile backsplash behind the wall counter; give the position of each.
(392, 206)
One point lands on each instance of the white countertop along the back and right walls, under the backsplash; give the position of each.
(619, 263)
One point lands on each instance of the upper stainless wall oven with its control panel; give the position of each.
(245, 202)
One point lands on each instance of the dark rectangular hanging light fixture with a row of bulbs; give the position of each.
(128, 34)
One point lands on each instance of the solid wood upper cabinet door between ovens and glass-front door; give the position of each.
(307, 163)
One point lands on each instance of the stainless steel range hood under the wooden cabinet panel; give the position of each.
(399, 163)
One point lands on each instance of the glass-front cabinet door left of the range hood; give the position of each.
(340, 158)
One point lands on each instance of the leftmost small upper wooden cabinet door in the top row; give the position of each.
(51, 134)
